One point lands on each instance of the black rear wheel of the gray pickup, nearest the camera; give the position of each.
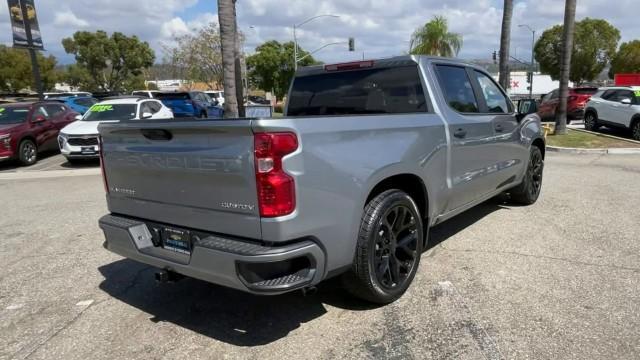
(387, 254)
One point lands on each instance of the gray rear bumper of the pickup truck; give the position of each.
(240, 264)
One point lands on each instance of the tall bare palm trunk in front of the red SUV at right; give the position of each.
(565, 65)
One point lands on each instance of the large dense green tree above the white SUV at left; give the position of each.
(109, 61)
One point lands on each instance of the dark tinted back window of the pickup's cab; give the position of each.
(396, 90)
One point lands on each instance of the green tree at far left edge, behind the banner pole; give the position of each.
(16, 74)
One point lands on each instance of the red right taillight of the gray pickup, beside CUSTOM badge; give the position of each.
(276, 188)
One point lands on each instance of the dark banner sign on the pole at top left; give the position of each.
(19, 20)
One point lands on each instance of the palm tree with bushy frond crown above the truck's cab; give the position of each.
(435, 39)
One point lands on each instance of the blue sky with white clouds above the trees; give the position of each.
(381, 28)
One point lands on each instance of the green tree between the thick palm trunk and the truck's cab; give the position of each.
(271, 68)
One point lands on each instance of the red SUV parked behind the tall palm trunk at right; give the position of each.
(578, 98)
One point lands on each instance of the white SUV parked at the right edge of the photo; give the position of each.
(614, 106)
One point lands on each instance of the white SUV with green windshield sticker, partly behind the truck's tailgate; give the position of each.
(79, 140)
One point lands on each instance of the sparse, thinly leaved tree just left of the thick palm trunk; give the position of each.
(198, 56)
